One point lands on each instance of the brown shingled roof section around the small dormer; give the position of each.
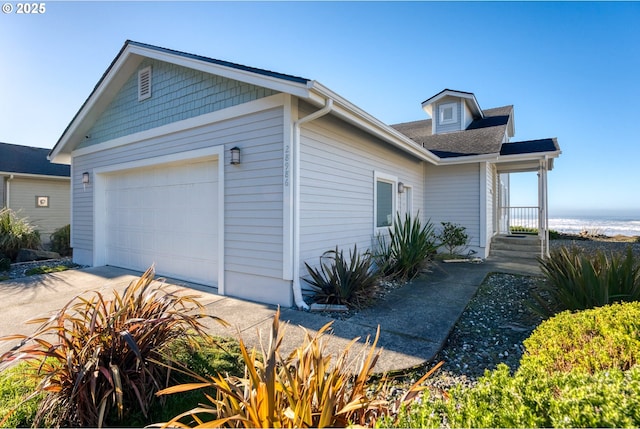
(482, 136)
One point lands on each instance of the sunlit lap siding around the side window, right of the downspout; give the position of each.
(337, 184)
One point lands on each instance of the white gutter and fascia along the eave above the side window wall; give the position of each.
(363, 120)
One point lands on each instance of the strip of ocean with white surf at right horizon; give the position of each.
(609, 225)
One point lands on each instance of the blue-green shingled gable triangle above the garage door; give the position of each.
(177, 93)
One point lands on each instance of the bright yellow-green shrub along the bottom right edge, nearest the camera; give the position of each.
(604, 399)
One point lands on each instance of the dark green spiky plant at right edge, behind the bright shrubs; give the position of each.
(576, 281)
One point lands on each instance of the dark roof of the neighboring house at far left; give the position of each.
(29, 160)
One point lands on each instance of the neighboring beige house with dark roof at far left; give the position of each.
(34, 188)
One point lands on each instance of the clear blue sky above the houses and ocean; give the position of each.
(571, 70)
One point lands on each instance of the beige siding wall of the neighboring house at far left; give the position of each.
(45, 219)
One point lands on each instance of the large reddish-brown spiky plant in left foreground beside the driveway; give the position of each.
(99, 358)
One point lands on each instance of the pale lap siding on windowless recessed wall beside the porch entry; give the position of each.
(452, 194)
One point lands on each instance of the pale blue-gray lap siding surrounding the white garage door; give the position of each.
(253, 189)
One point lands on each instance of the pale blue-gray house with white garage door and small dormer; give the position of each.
(233, 177)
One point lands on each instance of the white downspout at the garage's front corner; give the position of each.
(297, 288)
